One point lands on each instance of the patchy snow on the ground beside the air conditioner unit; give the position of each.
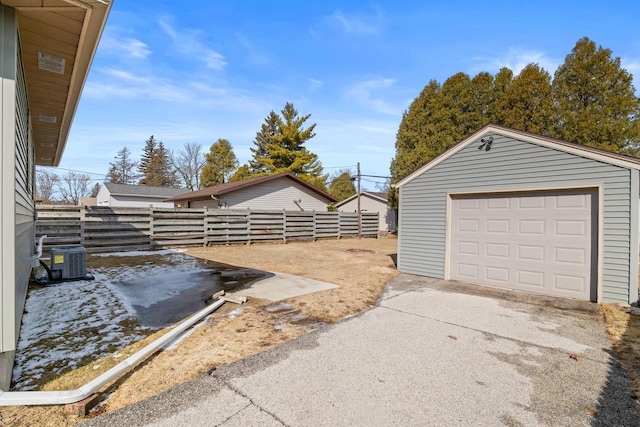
(70, 324)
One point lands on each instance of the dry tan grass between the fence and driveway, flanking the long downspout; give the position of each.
(361, 276)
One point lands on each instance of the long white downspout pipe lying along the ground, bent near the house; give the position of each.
(17, 398)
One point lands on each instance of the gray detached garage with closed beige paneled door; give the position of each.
(515, 210)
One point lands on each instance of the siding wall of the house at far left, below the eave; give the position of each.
(17, 188)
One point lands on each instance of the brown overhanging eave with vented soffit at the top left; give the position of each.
(59, 39)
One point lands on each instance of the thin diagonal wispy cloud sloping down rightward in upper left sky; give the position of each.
(188, 42)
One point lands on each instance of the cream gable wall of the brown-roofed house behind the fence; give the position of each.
(276, 194)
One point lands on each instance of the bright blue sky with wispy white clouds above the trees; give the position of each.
(215, 69)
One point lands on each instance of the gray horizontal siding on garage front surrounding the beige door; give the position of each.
(513, 165)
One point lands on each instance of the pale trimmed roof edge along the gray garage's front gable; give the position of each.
(557, 144)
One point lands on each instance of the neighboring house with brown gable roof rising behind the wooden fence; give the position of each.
(280, 191)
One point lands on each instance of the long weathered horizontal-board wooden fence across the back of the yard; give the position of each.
(107, 229)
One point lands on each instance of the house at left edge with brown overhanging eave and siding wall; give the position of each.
(47, 49)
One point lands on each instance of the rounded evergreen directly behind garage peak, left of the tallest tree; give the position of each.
(526, 104)
